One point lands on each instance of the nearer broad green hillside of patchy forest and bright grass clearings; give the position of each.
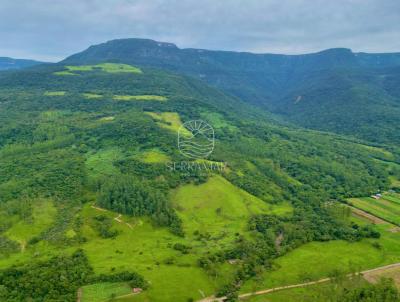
(86, 182)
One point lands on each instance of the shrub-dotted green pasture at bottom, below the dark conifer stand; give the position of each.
(144, 249)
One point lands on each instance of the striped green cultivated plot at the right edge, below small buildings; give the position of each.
(387, 207)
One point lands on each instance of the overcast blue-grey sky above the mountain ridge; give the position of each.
(50, 30)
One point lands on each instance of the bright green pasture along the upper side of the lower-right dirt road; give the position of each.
(317, 260)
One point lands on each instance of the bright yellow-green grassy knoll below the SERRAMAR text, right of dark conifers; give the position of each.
(219, 208)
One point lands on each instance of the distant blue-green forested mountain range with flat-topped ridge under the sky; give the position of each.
(333, 90)
